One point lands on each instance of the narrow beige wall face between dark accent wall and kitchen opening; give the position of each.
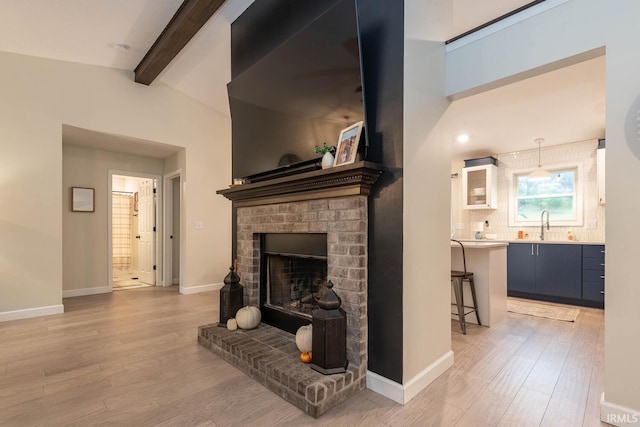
(426, 217)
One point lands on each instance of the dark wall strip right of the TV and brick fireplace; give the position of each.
(382, 44)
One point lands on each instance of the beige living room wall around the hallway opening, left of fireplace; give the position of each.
(38, 97)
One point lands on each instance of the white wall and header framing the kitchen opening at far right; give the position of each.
(570, 29)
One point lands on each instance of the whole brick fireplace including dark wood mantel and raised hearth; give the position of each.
(332, 202)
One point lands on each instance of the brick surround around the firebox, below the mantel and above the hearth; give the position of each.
(344, 219)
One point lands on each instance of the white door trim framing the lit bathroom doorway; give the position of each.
(159, 224)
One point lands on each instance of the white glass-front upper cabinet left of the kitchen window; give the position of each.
(480, 187)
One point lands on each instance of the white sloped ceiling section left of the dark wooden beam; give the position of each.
(84, 30)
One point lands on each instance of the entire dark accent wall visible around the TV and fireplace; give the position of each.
(267, 23)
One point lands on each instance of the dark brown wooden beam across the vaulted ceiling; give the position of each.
(187, 21)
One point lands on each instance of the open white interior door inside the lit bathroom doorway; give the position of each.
(146, 231)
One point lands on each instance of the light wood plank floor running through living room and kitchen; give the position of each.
(131, 358)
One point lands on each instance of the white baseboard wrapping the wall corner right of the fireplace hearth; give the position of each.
(403, 393)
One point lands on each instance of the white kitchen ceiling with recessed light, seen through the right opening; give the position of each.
(562, 106)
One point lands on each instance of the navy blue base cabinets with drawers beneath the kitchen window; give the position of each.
(566, 273)
